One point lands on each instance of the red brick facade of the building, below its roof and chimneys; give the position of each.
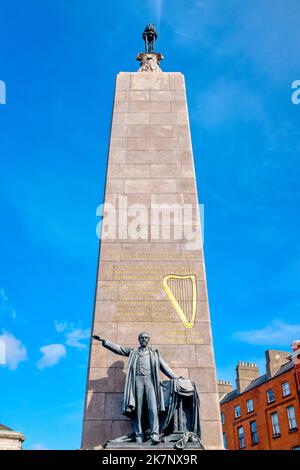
(287, 435)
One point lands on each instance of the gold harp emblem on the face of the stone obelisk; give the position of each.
(182, 292)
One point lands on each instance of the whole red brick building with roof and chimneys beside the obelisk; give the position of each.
(263, 412)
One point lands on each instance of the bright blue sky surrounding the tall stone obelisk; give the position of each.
(59, 59)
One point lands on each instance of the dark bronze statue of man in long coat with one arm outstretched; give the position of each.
(142, 380)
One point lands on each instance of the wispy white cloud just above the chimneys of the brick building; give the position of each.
(276, 334)
